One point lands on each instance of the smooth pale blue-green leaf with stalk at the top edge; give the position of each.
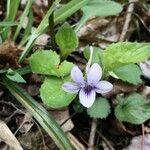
(98, 8)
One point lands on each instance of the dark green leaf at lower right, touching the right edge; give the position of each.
(134, 109)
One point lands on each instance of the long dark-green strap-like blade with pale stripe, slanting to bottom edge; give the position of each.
(40, 114)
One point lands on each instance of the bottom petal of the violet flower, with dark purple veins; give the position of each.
(87, 99)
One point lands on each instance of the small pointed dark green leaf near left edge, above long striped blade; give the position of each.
(14, 76)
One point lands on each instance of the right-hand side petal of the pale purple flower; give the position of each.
(103, 87)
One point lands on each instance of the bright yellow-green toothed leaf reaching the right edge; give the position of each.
(123, 53)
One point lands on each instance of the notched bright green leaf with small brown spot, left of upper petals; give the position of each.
(48, 63)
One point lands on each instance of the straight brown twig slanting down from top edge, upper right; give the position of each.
(127, 21)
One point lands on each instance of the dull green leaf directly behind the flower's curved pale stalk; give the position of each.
(97, 54)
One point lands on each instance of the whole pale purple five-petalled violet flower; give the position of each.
(87, 88)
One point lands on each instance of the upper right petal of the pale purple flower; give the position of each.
(94, 74)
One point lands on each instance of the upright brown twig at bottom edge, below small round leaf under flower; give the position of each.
(92, 135)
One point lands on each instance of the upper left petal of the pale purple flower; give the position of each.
(77, 75)
